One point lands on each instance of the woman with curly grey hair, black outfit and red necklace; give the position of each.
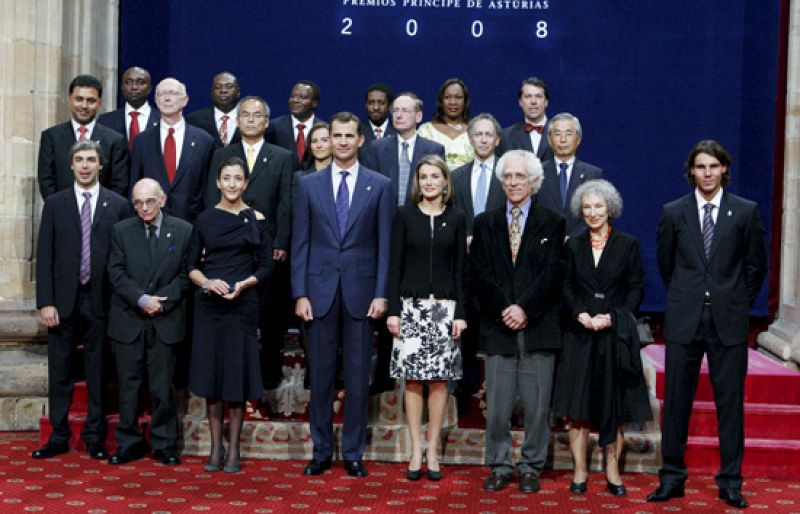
(600, 382)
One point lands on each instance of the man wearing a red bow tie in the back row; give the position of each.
(531, 133)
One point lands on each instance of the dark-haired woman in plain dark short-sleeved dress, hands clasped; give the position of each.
(232, 253)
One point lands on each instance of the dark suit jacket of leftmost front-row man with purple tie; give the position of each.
(58, 256)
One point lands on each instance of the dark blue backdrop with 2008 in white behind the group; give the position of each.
(647, 79)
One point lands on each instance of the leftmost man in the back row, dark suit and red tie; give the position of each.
(137, 115)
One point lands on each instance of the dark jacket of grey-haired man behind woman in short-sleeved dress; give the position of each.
(269, 189)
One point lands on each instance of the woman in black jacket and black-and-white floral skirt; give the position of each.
(426, 303)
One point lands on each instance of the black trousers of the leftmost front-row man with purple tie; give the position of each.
(62, 344)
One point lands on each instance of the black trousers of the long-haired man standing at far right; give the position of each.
(727, 366)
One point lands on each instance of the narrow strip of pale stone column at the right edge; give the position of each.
(783, 336)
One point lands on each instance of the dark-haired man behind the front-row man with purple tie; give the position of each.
(54, 170)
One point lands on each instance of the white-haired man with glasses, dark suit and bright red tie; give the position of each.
(177, 155)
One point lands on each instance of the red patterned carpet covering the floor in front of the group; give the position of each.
(73, 483)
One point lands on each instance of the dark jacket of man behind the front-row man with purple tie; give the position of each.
(54, 171)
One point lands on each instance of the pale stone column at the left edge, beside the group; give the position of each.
(44, 43)
